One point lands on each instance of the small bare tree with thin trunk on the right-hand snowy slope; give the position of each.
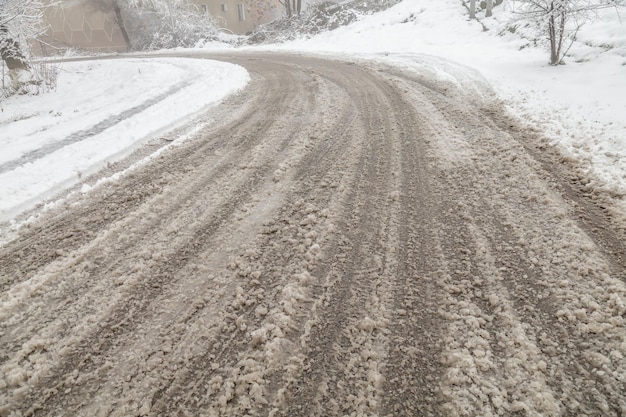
(561, 20)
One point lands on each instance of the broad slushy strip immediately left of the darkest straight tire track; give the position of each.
(347, 339)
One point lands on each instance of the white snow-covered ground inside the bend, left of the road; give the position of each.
(101, 111)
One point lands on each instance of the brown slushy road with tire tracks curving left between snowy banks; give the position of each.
(349, 239)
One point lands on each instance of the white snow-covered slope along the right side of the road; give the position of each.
(580, 106)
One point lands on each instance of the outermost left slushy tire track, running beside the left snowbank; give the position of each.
(116, 202)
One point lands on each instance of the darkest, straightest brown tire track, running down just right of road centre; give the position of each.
(412, 370)
